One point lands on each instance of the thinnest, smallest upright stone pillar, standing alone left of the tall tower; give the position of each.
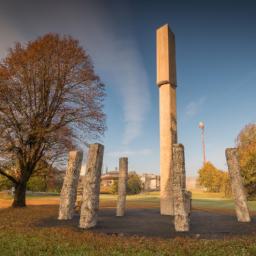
(122, 184)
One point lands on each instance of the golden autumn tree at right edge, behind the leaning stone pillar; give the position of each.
(246, 143)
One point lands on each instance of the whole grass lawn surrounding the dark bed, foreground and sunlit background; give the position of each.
(19, 234)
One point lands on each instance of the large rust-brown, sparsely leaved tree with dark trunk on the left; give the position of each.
(51, 100)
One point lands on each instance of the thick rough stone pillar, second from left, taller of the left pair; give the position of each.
(91, 187)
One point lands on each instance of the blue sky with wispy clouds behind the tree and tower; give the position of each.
(216, 68)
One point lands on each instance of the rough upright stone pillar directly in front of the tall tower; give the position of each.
(182, 198)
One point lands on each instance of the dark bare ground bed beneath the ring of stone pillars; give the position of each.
(149, 223)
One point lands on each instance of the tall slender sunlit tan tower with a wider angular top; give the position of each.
(166, 81)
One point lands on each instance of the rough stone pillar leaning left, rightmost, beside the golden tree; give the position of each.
(238, 191)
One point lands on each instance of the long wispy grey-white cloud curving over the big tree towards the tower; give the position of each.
(113, 49)
